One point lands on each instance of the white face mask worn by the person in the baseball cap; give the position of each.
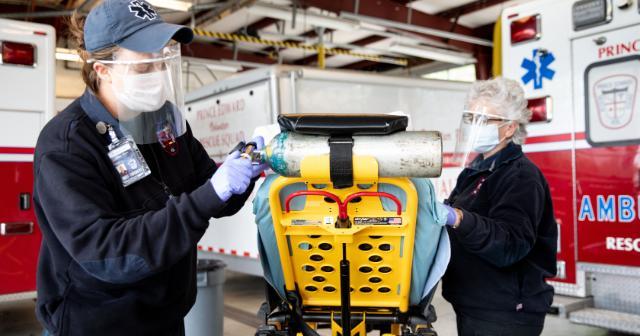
(142, 92)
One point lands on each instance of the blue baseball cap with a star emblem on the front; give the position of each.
(131, 24)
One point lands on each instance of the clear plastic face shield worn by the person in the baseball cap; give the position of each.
(147, 90)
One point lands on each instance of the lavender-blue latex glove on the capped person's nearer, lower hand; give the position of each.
(232, 177)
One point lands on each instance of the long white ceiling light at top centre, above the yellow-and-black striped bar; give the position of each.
(319, 20)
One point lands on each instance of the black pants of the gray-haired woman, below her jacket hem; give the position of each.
(468, 326)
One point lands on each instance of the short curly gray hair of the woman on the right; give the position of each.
(507, 97)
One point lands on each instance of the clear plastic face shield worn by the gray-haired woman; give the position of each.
(479, 132)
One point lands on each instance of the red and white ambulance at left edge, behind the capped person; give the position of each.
(27, 98)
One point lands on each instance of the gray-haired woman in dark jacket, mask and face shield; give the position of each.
(501, 224)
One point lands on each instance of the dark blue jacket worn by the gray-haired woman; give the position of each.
(505, 246)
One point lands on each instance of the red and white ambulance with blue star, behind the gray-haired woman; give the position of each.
(579, 62)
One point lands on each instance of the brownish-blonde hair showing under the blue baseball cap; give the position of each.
(89, 75)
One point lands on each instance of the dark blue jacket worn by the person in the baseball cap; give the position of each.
(116, 260)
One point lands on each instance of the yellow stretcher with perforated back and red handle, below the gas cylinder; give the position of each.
(341, 271)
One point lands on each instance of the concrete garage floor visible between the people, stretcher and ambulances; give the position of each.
(242, 298)
